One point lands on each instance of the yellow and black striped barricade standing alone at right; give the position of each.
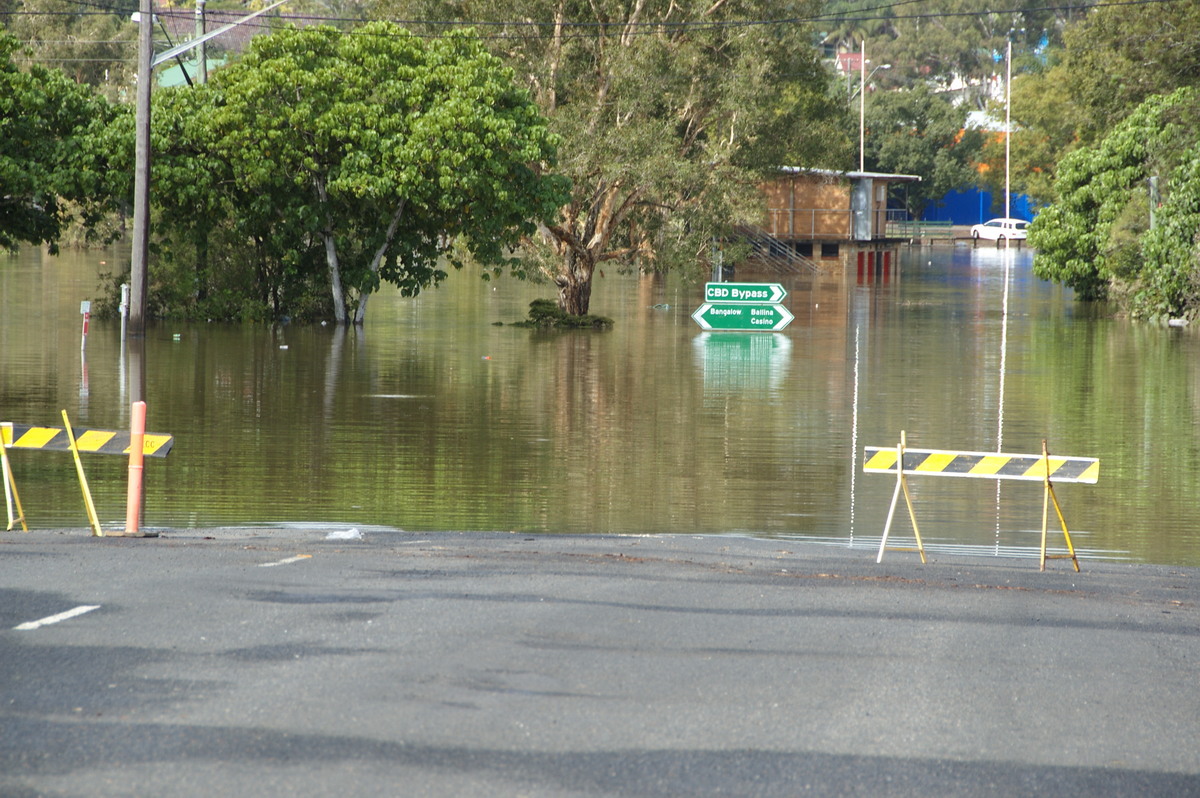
(1043, 469)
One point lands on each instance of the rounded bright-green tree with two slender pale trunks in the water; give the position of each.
(385, 149)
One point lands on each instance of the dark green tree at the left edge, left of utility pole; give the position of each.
(46, 121)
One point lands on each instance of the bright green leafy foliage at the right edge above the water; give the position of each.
(1096, 238)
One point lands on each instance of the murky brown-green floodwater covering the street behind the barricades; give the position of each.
(437, 417)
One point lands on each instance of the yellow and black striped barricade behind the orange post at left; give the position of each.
(98, 442)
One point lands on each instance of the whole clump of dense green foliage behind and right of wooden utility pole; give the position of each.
(338, 160)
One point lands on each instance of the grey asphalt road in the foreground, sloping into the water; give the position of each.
(278, 663)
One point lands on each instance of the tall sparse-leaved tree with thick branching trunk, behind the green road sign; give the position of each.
(670, 115)
